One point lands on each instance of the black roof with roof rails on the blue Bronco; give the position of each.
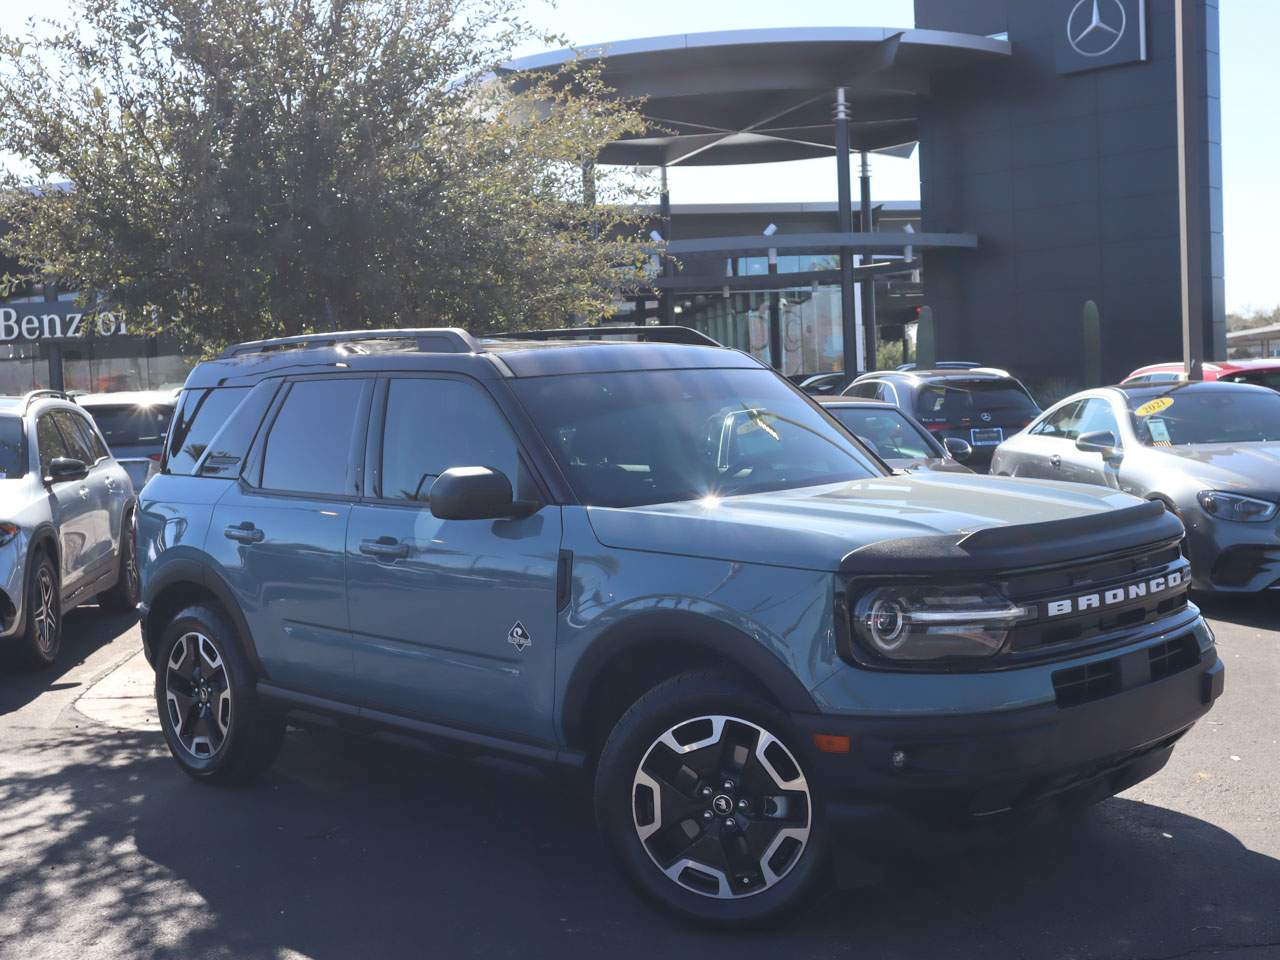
(456, 351)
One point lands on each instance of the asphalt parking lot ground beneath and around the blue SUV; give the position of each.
(350, 849)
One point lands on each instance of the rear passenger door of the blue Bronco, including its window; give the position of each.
(280, 536)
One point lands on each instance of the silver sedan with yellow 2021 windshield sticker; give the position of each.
(1210, 451)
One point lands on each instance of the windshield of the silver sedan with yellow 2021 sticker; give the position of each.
(1206, 417)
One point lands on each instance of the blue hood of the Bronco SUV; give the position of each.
(825, 528)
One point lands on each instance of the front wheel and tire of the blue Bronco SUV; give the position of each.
(688, 708)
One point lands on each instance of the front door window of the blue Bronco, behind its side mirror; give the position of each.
(433, 426)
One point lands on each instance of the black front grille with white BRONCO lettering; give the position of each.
(1054, 637)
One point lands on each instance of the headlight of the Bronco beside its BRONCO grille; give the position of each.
(935, 623)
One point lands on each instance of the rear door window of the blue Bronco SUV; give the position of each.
(310, 446)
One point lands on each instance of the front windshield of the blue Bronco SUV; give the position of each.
(637, 438)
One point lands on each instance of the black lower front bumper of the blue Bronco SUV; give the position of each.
(967, 769)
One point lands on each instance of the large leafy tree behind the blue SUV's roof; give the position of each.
(255, 168)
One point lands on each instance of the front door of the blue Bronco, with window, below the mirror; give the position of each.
(454, 621)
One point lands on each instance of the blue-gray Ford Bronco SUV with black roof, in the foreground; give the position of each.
(662, 564)
